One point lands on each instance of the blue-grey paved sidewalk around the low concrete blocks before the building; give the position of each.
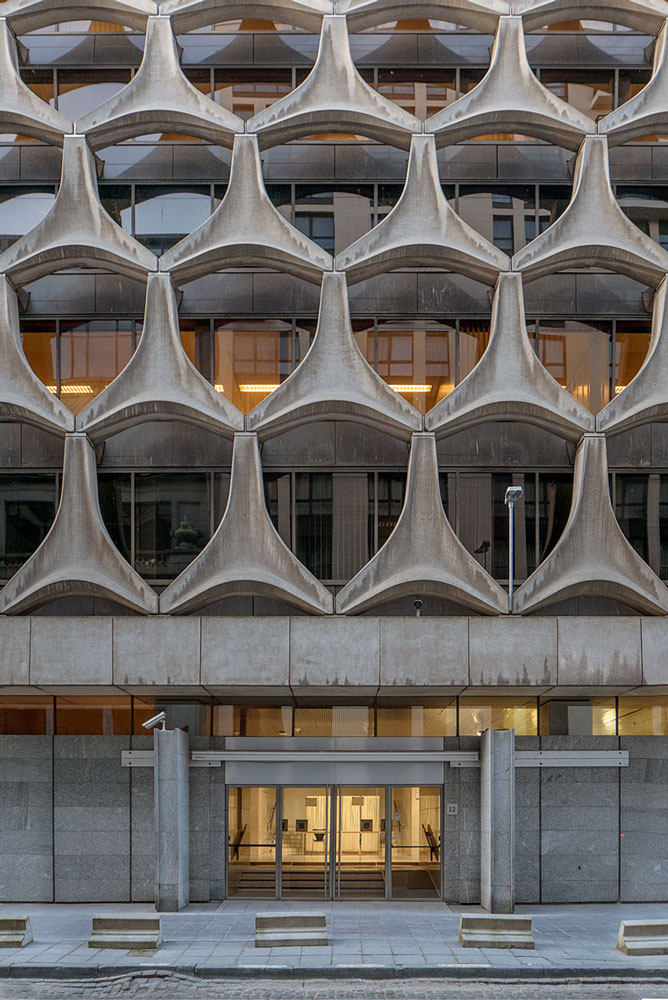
(368, 940)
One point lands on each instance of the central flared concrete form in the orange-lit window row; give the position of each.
(334, 380)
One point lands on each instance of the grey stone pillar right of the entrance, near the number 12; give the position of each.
(497, 820)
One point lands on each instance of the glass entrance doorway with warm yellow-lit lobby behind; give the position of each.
(334, 842)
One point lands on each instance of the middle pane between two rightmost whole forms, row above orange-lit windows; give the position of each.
(503, 215)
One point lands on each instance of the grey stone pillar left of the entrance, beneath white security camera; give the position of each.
(172, 819)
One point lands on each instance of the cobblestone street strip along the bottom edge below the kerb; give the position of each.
(187, 988)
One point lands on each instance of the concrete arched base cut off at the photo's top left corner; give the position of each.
(29, 15)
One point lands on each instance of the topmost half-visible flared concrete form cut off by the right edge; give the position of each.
(647, 112)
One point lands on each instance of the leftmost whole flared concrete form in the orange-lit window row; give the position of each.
(159, 382)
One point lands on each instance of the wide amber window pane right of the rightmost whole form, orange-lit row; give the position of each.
(577, 355)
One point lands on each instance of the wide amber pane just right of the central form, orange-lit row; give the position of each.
(418, 360)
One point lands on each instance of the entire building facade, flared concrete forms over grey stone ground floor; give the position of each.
(297, 332)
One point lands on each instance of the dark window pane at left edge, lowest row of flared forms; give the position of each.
(27, 510)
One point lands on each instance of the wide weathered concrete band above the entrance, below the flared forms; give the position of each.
(358, 657)
